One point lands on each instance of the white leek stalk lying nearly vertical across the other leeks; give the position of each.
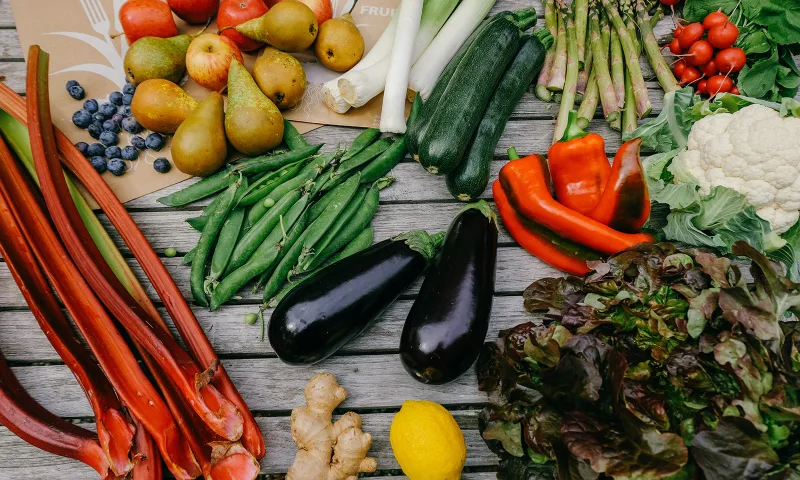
(394, 97)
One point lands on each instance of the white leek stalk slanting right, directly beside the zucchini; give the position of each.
(459, 27)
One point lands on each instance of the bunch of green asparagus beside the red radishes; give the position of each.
(595, 58)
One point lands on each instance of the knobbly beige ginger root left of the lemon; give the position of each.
(325, 450)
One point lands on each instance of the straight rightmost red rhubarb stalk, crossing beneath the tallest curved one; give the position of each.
(188, 327)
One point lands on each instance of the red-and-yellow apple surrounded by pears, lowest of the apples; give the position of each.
(209, 58)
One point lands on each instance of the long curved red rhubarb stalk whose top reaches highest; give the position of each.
(219, 414)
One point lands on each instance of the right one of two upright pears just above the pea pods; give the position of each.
(253, 123)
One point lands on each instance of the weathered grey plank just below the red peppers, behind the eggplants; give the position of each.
(516, 269)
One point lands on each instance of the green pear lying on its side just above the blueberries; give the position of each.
(153, 57)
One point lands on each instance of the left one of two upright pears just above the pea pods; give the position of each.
(199, 147)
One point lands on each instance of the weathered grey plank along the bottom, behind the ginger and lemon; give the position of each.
(33, 464)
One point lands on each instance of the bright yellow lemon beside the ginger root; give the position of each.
(427, 442)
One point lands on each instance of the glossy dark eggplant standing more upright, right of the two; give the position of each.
(448, 322)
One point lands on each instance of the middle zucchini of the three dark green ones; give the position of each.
(475, 79)
